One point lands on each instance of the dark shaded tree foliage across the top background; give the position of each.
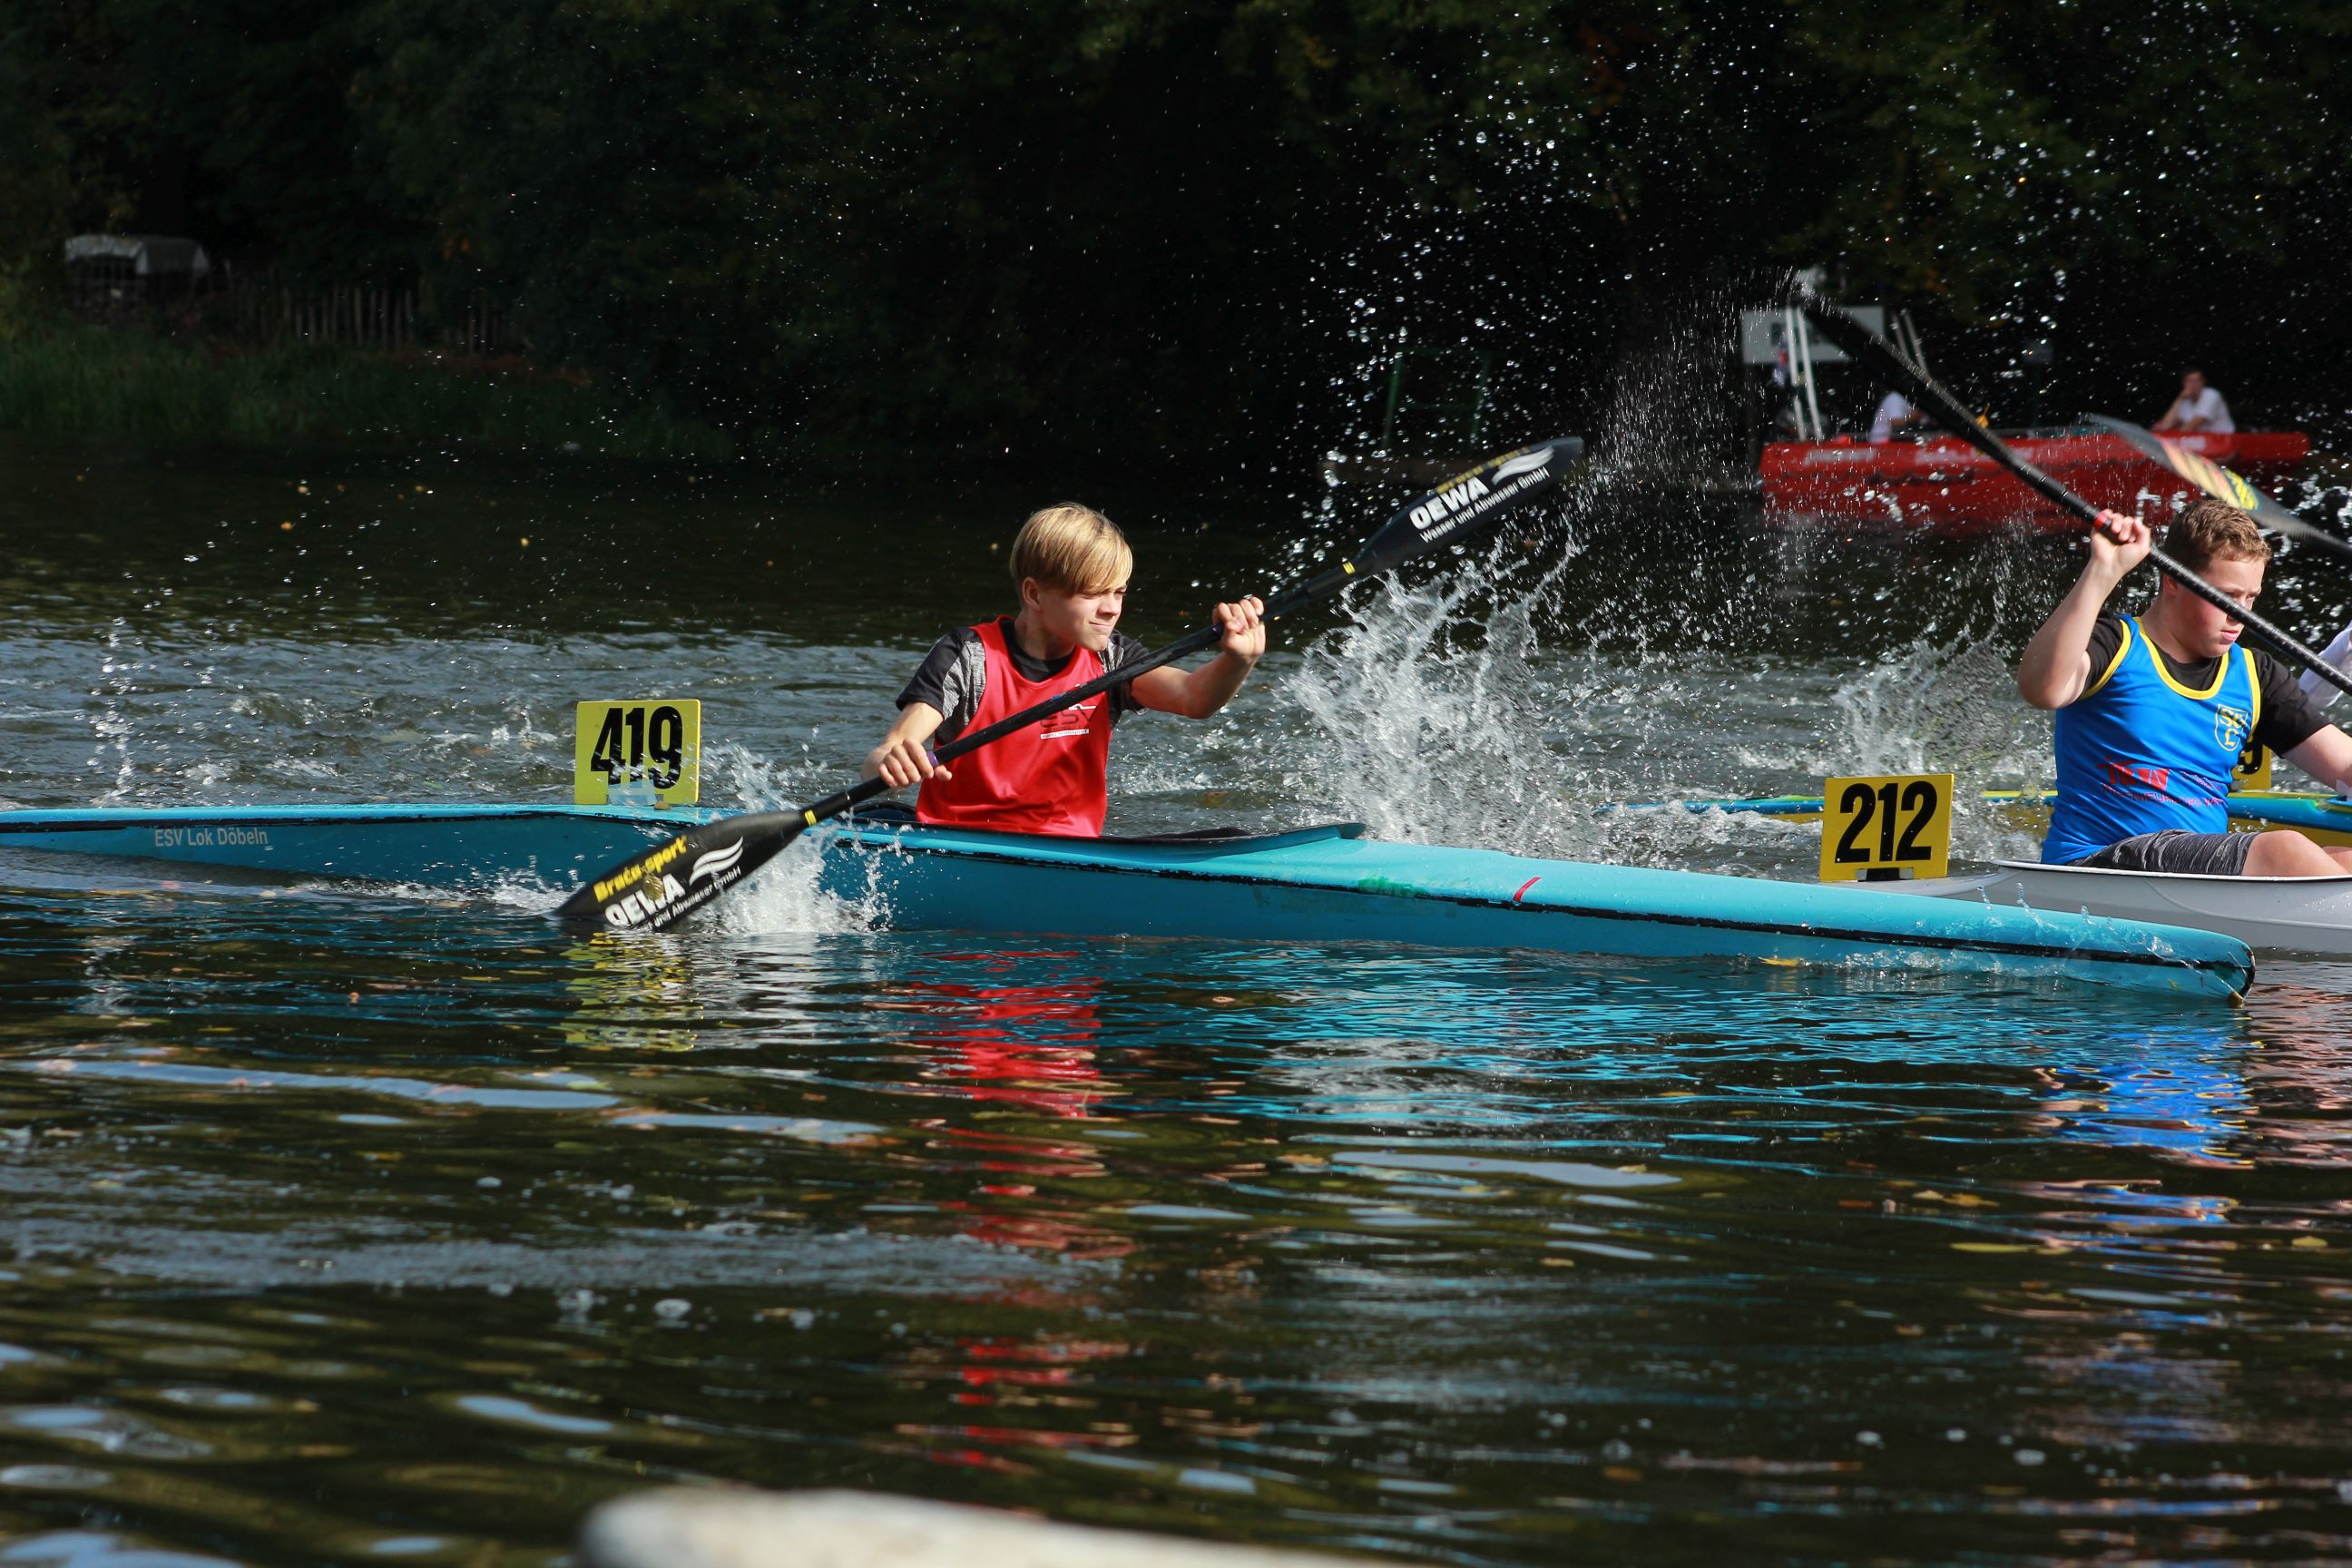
(1165, 227)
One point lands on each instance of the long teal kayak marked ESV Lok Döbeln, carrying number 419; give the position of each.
(1311, 885)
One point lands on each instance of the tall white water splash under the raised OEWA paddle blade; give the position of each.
(1483, 709)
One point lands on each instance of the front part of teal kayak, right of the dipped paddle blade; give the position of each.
(1335, 885)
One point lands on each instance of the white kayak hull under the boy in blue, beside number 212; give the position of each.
(2266, 913)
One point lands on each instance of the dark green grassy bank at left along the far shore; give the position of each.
(76, 380)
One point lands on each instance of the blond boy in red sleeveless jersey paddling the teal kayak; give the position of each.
(1071, 572)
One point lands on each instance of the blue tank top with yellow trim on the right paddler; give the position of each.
(2141, 753)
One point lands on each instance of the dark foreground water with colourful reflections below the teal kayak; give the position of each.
(417, 1235)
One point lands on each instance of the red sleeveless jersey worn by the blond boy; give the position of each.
(1045, 777)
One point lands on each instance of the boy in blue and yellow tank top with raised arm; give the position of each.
(2156, 709)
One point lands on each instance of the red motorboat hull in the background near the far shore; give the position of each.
(1942, 483)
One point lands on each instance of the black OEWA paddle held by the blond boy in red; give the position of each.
(669, 883)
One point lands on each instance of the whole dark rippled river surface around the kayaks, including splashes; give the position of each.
(356, 1226)
